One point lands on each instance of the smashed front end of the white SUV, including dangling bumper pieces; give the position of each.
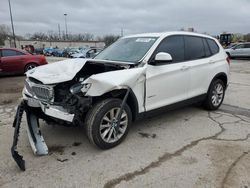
(66, 97)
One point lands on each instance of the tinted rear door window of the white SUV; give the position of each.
(194, 48)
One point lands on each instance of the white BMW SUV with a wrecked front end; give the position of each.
(135, 75)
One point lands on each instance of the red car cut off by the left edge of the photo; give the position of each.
(15, 61)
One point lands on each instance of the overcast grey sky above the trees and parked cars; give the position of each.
(101, 17)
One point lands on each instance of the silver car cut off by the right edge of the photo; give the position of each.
(239, 50)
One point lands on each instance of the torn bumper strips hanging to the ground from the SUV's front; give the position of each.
(36, 140)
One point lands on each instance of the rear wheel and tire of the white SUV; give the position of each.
(215, 95)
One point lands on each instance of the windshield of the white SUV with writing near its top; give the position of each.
(127, 49)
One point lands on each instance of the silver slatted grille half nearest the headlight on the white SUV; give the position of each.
(45, 93)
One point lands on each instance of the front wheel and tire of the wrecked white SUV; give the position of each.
(100, 123)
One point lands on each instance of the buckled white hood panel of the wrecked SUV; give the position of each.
(57, 72)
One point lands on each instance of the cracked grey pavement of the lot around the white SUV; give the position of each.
(189, 147)
